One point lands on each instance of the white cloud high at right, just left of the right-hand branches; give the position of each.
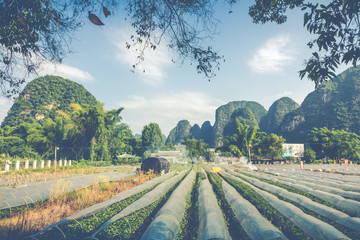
(273, 56)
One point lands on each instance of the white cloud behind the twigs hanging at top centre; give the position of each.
(152, 69)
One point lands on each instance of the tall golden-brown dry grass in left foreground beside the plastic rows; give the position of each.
(61, 205)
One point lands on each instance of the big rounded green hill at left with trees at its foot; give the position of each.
(55, 112)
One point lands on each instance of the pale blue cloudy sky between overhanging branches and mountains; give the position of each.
(261, 64)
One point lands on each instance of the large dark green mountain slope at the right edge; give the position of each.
(334, 104)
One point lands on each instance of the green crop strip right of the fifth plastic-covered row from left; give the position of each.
(277, 219)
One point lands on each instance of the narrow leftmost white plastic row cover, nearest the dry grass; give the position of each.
(90, 211)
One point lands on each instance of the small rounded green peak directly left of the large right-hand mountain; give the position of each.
(271, 122)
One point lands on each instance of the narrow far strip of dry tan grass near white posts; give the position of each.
(22, 177)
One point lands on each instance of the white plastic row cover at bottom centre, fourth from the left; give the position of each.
(211, 219)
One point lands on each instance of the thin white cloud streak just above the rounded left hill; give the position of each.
(65, 71)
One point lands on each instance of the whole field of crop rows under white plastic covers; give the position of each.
(233, 204)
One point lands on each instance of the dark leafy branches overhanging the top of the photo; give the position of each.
(41, 30)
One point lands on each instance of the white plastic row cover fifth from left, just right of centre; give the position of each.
(254, 224)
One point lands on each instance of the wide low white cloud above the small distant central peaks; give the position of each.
(167, 109)
